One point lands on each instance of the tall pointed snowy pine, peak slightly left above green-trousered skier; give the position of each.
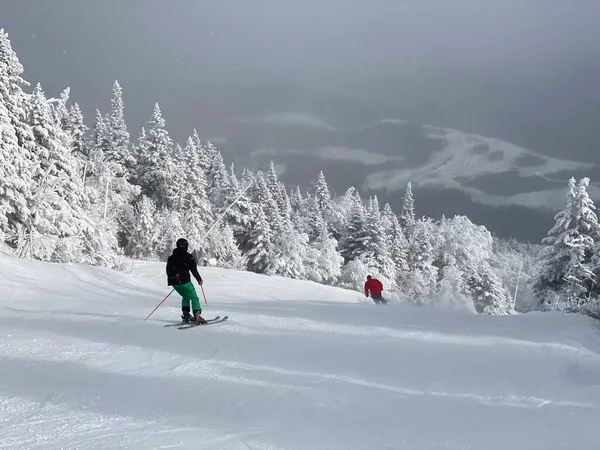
(155, 168)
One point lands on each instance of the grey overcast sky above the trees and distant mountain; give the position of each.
(527, 71)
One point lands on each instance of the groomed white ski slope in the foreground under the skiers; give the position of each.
(297, 366)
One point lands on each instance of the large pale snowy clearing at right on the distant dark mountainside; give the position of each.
(465, 158)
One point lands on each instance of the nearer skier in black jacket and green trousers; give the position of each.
(179, 266)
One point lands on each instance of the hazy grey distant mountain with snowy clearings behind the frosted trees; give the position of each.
(511, 190)
